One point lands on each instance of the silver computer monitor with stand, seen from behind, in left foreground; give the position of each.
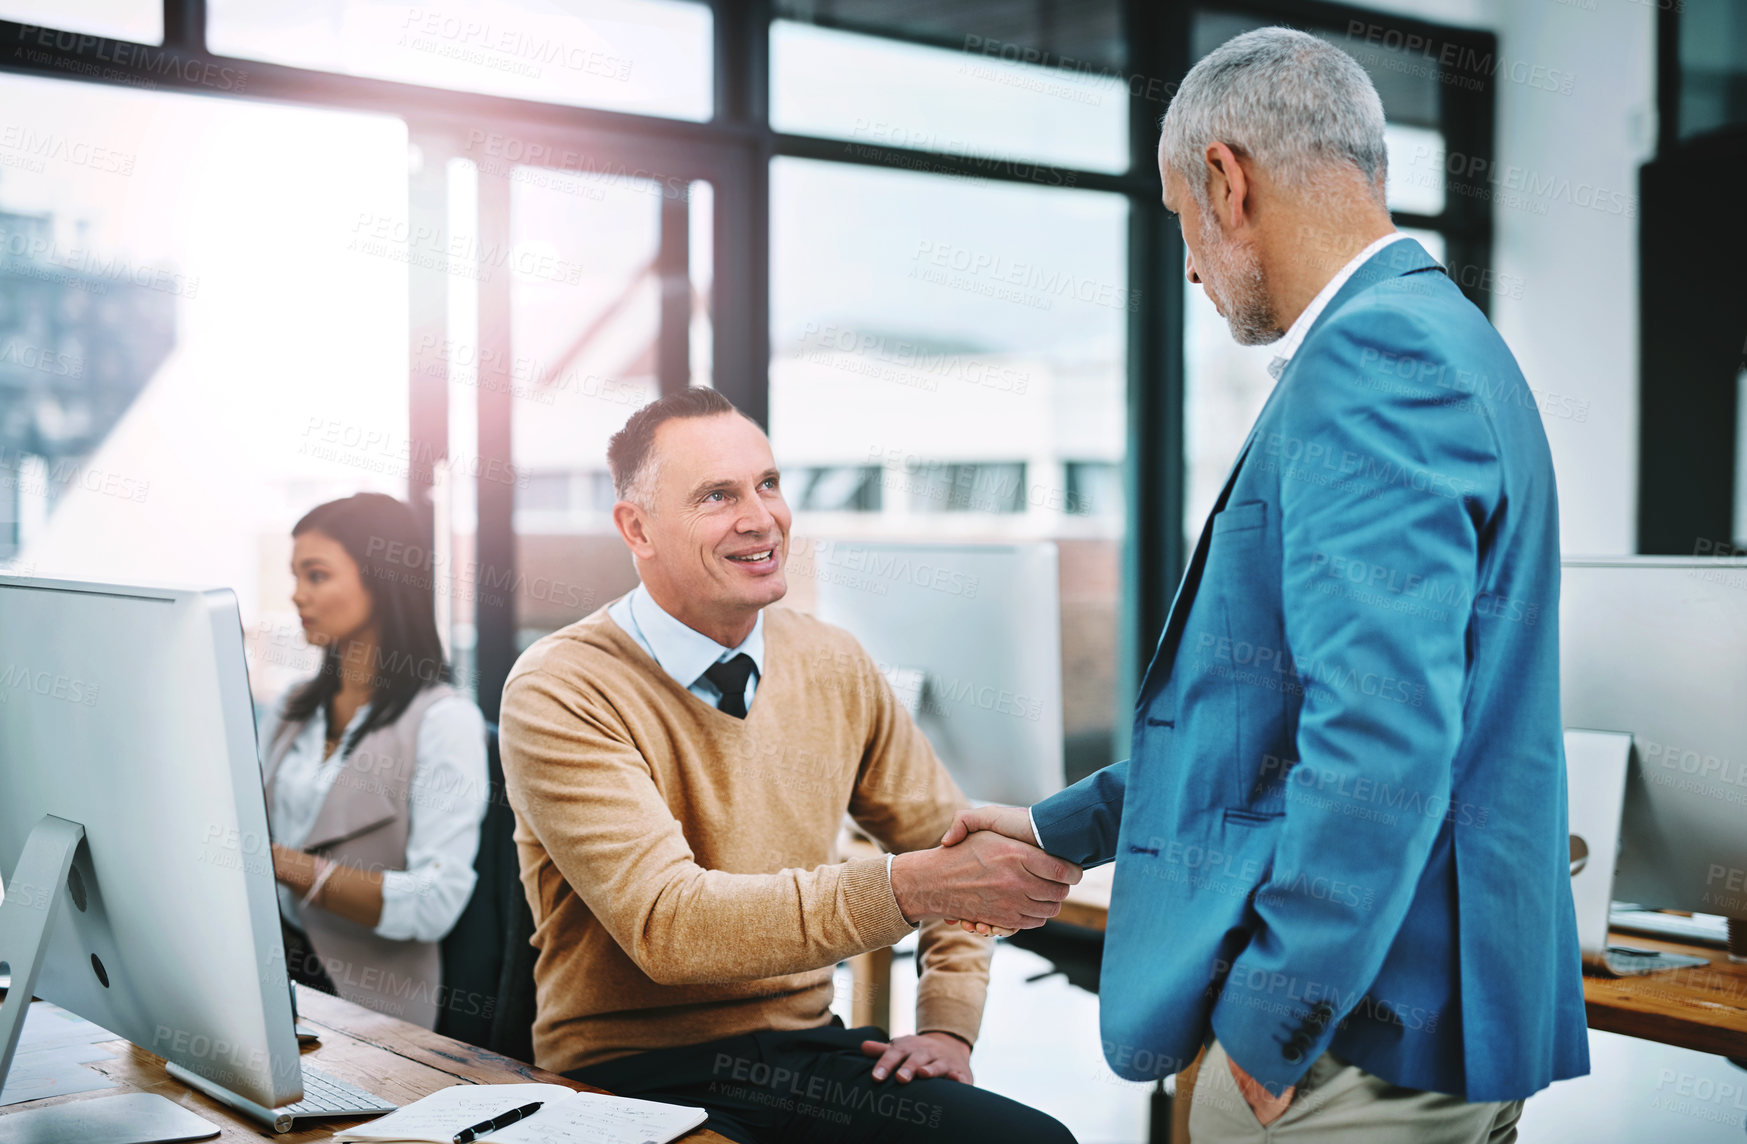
(134, 832)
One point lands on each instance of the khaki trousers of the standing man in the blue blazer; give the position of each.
(1343, 1105)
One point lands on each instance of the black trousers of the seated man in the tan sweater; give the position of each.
(817, 1085)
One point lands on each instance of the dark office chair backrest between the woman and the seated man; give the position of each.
(488, 961)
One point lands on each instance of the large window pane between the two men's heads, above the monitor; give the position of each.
(953, 383)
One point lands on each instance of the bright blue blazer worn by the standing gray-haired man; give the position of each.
(1343, 825)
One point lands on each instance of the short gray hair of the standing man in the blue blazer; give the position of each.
(1285, 99)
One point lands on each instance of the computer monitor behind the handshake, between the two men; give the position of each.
(972, 640)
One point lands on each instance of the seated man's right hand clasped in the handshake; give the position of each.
(983, 879)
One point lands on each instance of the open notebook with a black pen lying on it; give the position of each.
(567, 1117)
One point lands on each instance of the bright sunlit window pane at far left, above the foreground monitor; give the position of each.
(202, 338)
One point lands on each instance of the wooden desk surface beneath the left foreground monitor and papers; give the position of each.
(380, 1054)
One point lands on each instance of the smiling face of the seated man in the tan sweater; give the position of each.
(712, 544)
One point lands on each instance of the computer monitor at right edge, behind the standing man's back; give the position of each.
(1657, 647)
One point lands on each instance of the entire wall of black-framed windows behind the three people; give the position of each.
(923, 244)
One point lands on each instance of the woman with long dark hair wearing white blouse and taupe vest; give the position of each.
(376, 769)
